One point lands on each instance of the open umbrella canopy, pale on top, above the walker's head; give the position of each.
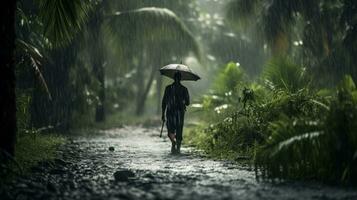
(186, 73)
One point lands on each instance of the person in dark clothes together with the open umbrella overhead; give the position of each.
(174, 102)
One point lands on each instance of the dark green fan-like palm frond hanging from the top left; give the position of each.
(62, 18)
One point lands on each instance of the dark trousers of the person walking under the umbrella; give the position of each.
(174, 124)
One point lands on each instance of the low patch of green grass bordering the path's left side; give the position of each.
(30, 150)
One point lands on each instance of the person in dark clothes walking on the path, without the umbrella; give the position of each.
(174, 102)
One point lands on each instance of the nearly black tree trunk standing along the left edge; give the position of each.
(7, 78)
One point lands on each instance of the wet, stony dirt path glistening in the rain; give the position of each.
(146, 170)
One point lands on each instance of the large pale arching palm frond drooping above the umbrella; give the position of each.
(148, 26)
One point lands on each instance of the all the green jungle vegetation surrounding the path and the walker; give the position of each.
(278, 78)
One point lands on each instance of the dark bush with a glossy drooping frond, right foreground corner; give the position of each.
(321, 145)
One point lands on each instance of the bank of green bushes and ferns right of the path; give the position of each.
(288, 130)
